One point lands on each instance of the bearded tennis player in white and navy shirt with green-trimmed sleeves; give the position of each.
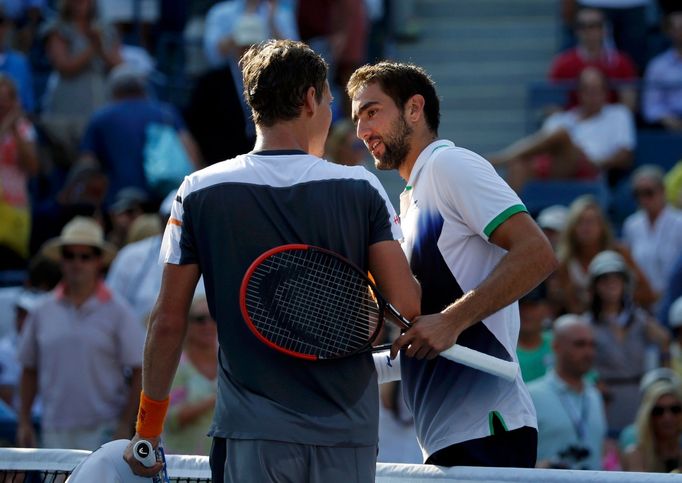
(475, 250)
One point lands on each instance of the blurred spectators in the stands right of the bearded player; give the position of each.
(598, 344)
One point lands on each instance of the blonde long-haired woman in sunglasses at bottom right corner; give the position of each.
(659, 427)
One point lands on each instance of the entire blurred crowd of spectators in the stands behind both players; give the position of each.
(82, 81)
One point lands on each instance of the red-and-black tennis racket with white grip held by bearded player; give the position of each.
(311, 303)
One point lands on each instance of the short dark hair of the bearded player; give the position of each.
(400, 81)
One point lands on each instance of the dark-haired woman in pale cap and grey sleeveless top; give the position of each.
(624, 334)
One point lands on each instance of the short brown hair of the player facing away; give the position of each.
(277, 74)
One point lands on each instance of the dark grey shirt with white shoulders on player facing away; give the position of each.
(231, 213)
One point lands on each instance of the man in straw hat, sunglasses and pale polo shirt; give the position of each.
(76, 347)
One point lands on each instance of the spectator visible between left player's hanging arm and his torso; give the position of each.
(193, 392)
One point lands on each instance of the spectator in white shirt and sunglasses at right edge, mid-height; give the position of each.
(654, 233)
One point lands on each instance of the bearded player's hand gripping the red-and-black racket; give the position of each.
(429, 336)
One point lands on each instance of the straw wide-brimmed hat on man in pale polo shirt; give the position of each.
(80, 231)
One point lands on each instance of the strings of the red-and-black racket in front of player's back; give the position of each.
(319, 305)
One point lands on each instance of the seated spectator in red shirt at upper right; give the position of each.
(593, 51)
